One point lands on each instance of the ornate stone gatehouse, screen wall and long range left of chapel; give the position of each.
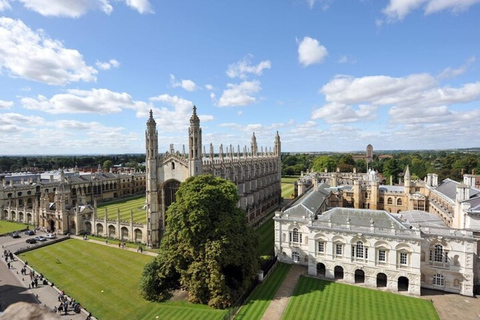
(65, 202)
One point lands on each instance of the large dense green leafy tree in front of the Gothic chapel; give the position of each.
(208, 248)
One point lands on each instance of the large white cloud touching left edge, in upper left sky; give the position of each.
(34, 56)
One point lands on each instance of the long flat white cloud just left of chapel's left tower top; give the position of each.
(101, 101)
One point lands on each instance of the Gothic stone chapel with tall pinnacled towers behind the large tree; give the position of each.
(256, 172)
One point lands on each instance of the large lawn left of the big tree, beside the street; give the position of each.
(105, 280)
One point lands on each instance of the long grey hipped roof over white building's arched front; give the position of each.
(361, 218)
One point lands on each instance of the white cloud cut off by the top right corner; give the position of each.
(397, 10)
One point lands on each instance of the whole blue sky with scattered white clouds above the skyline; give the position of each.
(79, 76)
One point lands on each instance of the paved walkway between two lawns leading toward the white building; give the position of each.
(280, 301)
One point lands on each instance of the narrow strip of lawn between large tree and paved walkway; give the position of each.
(261, 297)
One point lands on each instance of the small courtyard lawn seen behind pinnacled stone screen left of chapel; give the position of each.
(125, 206)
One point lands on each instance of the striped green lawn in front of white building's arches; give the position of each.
(318, 299)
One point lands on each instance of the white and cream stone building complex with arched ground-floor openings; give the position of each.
(400, 238)
